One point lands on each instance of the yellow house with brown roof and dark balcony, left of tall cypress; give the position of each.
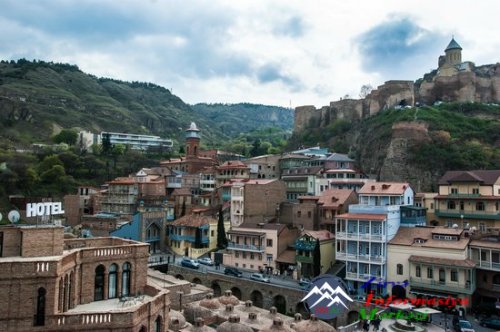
(193, 235)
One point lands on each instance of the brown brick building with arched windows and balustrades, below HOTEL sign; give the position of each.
(99, 284)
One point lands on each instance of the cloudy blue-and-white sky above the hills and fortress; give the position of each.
(275, 52)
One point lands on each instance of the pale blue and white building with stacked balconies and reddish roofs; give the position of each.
(363, 233)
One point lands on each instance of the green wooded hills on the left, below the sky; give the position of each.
(38, 98)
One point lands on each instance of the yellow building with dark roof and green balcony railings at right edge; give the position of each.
(469, 198)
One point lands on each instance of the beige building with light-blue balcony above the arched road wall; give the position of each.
(258, 247)
